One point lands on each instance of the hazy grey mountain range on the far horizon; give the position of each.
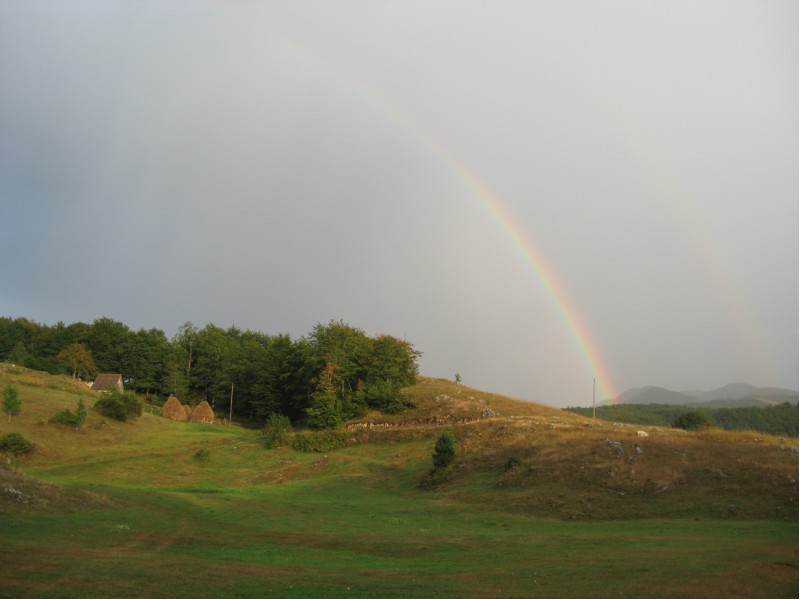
(733, 395)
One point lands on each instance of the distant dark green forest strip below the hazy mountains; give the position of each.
(780, 419)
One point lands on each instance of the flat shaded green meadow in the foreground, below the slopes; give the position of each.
(342, 537)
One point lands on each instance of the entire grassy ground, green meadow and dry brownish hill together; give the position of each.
(540, 502)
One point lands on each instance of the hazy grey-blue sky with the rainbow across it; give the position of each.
(552, 199)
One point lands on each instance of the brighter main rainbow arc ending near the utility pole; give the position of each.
(489, 202)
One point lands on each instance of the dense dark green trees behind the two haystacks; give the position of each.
(334, 373)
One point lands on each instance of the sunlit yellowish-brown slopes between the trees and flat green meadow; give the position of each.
(512, 455)
